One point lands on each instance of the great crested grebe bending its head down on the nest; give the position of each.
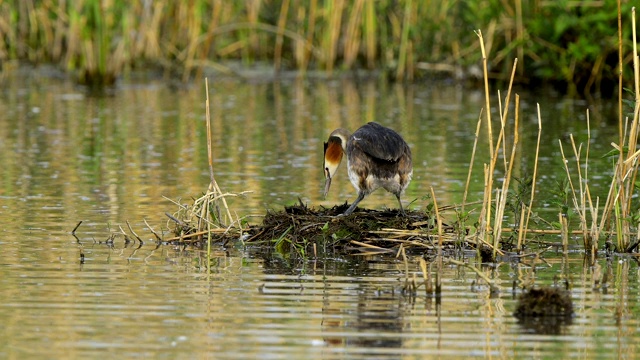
(376, 157)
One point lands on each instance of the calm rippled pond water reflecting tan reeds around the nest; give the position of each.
(106, 159)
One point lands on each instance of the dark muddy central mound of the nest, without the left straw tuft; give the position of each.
(362, 231)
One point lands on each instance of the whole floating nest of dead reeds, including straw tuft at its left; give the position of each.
(310, 229)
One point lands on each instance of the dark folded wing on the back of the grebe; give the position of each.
(379, 142)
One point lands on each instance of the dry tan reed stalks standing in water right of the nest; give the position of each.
(619, 218)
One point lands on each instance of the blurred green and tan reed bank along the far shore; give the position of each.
(566, 42)
